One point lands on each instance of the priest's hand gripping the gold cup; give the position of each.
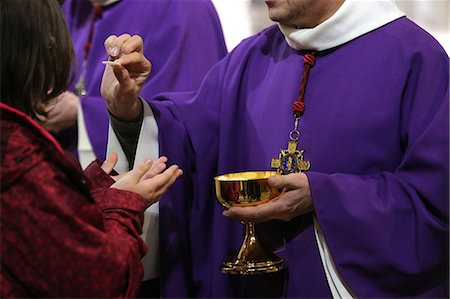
(295, 200)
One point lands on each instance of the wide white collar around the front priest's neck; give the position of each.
(353, 19)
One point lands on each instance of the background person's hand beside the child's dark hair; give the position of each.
(62, 112)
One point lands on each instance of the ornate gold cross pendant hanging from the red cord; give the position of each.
(290, 160)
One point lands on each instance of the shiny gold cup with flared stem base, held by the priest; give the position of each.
(248, 189)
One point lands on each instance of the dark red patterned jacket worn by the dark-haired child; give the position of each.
(60, 237)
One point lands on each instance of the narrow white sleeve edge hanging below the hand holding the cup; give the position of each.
(335, 282)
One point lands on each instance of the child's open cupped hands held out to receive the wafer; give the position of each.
(149, 182)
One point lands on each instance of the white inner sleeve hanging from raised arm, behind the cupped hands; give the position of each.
(147, 147)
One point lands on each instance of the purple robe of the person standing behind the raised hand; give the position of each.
(182, 39)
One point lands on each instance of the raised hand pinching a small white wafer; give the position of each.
(123, 81)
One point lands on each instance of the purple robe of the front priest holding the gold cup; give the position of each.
(376, 131)
